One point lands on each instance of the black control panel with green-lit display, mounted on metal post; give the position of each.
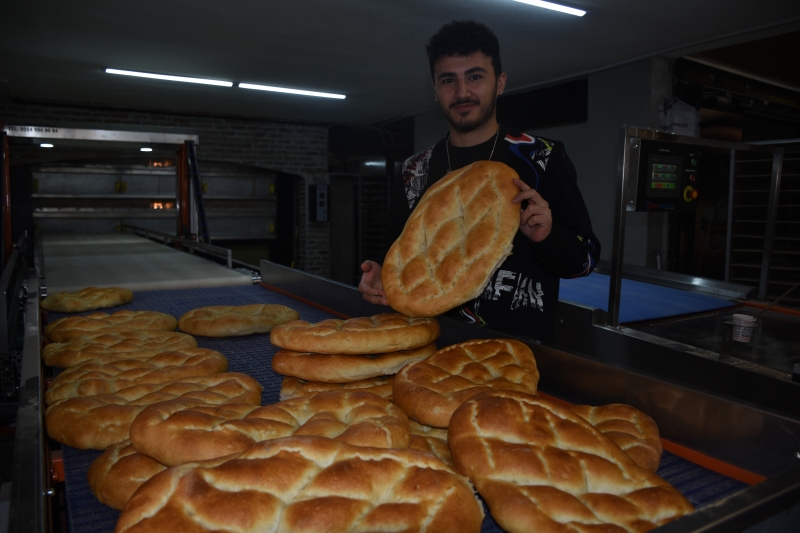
(667, 176)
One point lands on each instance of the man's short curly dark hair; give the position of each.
(463, 38)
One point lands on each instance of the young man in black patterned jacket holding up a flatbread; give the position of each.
(555, 238)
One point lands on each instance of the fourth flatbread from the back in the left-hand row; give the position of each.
(109, 375)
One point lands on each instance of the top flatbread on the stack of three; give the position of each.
(383, 333)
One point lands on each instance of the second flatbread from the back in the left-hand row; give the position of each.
(70, 327)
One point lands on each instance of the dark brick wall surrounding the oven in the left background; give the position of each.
(299, 149)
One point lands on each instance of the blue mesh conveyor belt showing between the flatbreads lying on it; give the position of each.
(253, 355)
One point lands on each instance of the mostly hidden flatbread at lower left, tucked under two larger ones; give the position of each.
(118, 472)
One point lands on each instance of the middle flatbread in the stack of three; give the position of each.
(341, 368)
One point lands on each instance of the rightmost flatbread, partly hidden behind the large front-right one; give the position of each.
(630, 429)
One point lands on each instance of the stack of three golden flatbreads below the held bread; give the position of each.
(359, 353)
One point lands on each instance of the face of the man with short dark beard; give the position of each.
(467, 89)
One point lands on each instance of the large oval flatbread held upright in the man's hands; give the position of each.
(460, 232)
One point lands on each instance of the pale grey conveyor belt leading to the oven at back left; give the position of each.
(73, 262)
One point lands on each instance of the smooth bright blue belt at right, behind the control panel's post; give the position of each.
(638, 300)
